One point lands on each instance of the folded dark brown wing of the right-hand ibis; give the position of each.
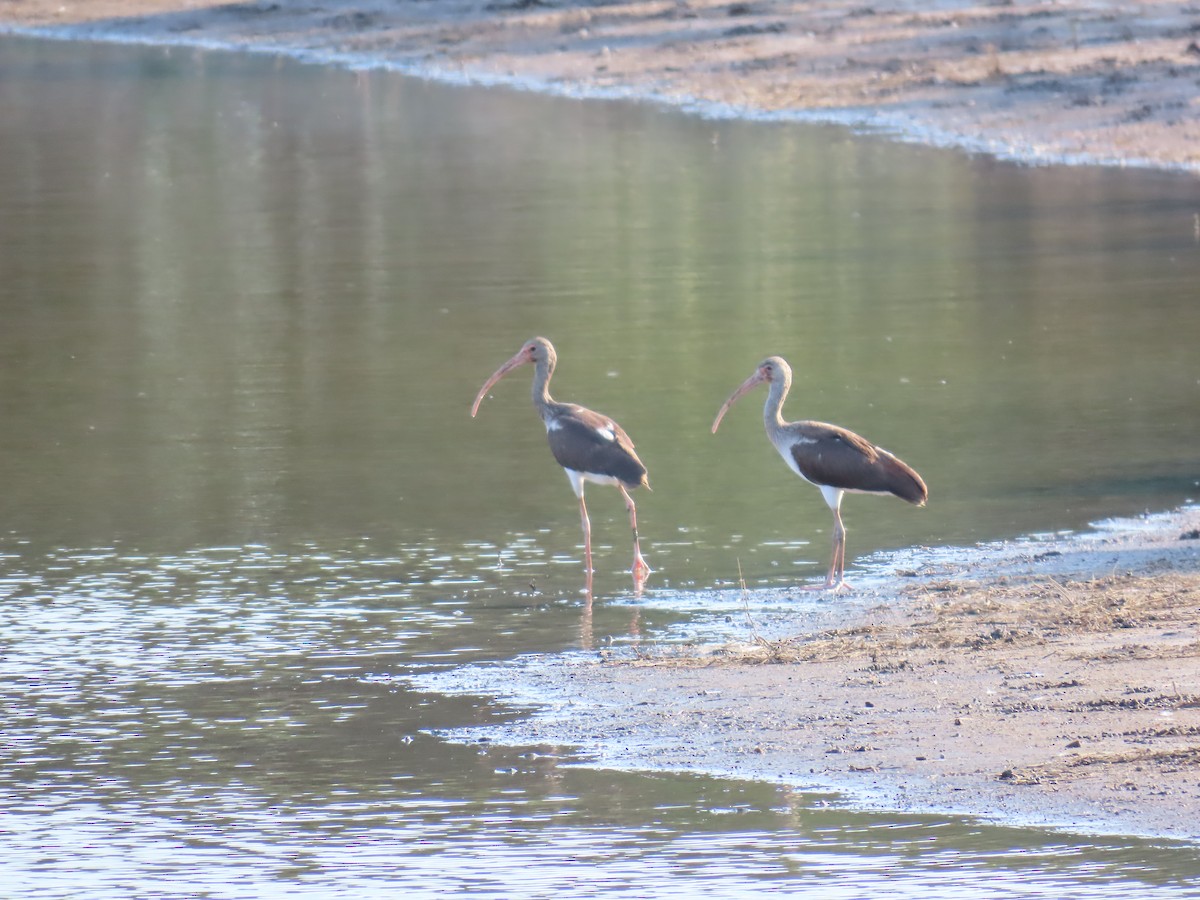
(838, 458)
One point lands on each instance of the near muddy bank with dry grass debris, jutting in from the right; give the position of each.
(1047, 682)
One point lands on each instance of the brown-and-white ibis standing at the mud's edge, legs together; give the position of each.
(833, 459)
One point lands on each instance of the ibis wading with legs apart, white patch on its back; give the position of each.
(590, 446)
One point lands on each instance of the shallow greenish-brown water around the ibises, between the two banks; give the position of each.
(247, 307)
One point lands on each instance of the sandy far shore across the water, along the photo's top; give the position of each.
(1077, 81)
